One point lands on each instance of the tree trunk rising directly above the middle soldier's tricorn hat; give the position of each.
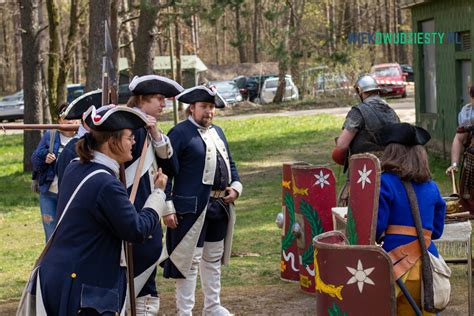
(144, 43)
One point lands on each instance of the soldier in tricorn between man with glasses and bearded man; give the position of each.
(148, 98)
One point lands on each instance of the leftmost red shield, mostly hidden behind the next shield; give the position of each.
(289, 267)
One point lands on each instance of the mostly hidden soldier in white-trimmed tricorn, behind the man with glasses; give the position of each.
(74, 111)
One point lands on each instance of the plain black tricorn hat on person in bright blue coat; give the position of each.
(402, 133)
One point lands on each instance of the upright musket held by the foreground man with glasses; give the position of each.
(109, 96)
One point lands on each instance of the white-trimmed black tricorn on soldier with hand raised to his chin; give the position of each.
(153, 84)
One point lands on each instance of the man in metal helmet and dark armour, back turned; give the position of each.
(361, 123)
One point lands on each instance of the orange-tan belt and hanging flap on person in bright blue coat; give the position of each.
(404, 257)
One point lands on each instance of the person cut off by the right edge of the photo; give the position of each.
(463, 144)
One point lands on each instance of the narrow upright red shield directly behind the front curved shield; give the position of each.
(364, 189)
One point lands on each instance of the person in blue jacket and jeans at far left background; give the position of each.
(44, 160)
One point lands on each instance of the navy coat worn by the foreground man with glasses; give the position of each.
(82, 267)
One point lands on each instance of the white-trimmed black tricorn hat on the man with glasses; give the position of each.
(113, 118)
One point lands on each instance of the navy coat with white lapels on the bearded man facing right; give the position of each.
(190, 178)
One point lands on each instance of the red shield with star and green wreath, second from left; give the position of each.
(314, 191)
